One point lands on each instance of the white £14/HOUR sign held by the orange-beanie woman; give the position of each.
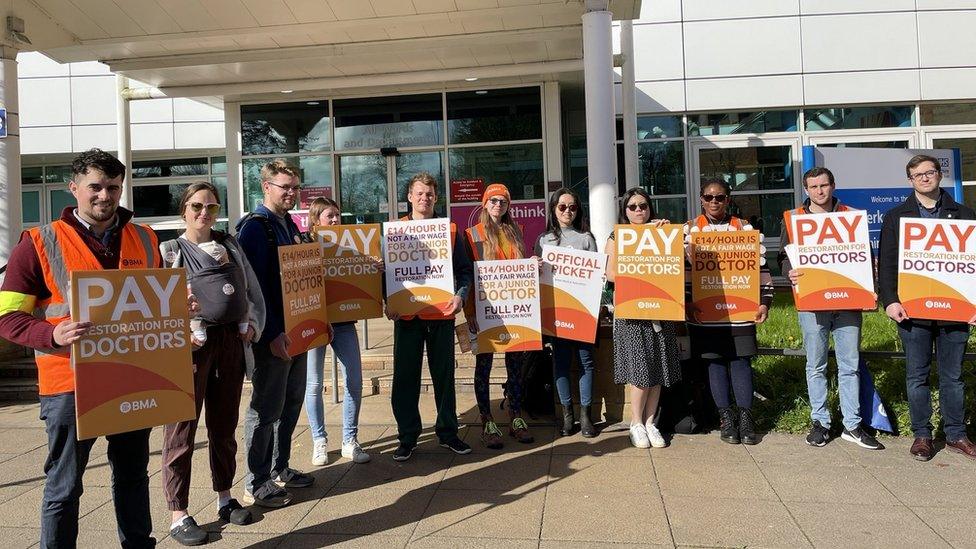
(507, 305)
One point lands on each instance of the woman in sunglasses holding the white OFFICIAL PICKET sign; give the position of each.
(565, 228)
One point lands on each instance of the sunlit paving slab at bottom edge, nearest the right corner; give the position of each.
(842, 525)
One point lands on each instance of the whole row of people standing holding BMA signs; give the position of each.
(237, 331)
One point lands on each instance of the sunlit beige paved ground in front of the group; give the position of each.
(558, 492)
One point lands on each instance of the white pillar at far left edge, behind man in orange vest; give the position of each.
(11, 215)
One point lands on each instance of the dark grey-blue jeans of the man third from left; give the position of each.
(277, 392)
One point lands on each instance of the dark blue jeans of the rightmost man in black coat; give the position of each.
(950, 346)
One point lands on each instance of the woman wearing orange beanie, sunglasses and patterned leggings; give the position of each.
(496, 237)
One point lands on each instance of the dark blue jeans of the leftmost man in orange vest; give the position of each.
(128, 455)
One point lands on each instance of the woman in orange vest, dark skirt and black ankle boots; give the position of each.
(727, 348)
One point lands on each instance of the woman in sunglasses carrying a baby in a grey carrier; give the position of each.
(231, 316)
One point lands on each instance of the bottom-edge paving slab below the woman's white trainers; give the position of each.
(633, 518)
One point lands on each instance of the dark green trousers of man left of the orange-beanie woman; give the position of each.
(409, 339)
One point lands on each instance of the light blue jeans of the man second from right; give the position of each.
(846, 327)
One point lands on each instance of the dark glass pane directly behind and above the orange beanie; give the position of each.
(517, 166)
